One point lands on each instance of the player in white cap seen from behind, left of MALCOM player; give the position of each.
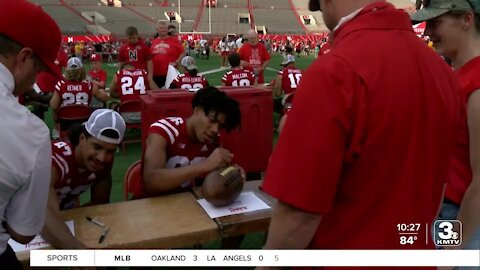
(190, 79)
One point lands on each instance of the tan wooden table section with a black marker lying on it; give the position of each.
(172, 221)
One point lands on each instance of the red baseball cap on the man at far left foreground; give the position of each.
(30, 26)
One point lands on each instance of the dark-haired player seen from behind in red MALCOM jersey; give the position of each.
(237, 76)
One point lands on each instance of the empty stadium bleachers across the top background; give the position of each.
(278, 16)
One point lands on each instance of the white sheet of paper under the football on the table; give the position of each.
(246, 202)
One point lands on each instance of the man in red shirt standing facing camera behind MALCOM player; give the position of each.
(254, 56)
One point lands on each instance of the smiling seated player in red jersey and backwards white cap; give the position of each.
(81, 163)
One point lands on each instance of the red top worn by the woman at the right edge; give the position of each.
(460, 175)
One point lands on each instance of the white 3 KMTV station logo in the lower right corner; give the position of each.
(447, 233)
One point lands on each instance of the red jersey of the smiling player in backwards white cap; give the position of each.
(72, 181)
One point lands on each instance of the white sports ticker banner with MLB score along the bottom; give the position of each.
(252, 258)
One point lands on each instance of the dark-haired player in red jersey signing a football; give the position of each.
(180, 150)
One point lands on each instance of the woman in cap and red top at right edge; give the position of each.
(454, 28)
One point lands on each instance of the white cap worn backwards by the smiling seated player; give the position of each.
(102, 120)
